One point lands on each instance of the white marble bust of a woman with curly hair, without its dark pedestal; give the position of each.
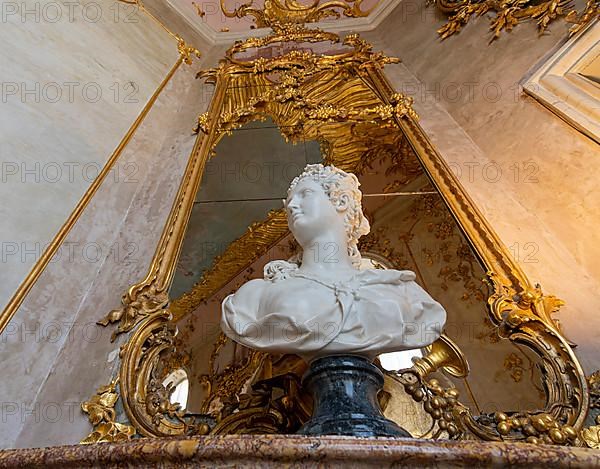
(324, 305)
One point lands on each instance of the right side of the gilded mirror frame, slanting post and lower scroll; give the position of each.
(519, 310)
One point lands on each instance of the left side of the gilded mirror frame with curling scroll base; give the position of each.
(145, 400)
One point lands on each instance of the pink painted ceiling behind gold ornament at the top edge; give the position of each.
(208, 12)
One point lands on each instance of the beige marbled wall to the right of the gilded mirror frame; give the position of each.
(533, 175)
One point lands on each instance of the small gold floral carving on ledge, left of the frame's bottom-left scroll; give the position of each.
(101, 412)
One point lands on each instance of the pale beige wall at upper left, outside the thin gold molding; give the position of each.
(73, 77)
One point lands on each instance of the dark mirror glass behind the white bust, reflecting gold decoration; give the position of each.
(411, 228)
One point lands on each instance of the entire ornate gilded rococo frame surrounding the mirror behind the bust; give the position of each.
(518, 309)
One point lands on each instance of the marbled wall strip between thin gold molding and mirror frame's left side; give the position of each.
(125, 220)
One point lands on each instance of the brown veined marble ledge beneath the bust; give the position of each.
(299, 451)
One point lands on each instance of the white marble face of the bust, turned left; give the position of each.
(310, 212)
